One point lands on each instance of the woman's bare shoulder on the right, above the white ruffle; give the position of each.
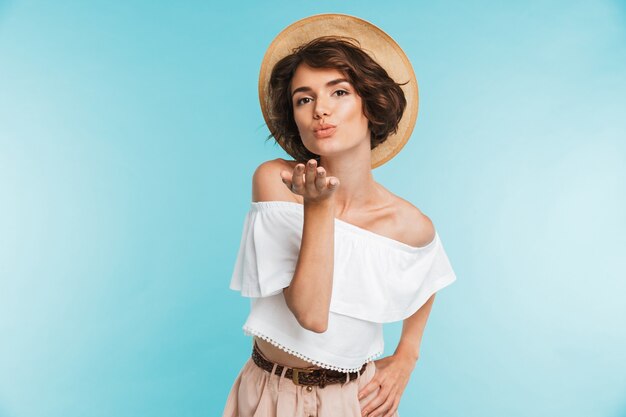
(412, 226)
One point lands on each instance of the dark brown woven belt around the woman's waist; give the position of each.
(302, 376)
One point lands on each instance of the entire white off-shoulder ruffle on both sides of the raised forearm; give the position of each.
(375, 278)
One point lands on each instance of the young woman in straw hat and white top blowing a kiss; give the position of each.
(328, 254)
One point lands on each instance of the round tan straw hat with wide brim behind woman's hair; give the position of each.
(374, 41)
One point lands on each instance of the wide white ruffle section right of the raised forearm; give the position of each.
(383, 280)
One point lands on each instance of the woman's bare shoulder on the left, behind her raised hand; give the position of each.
(267, 184)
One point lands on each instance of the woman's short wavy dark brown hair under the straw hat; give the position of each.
(383, 99)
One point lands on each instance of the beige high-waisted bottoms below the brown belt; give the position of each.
(257, 393)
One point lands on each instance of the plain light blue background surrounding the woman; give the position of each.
(129, 132)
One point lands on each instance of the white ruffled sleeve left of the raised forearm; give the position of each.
(268, 252)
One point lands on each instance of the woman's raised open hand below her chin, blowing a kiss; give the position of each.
(310, 182)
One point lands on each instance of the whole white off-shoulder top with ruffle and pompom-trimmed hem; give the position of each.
(376, 280)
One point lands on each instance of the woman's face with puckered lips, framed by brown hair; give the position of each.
(322, 98)
